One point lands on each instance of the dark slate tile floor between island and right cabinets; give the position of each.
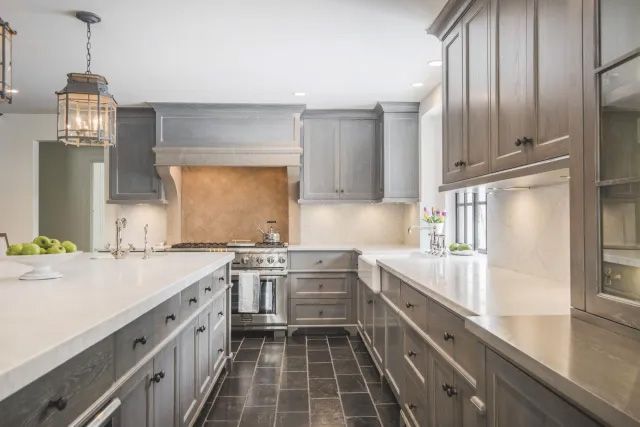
(301, 381)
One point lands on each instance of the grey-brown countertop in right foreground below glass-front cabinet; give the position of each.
(596, 368)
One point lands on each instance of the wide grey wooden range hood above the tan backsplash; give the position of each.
(227, 134)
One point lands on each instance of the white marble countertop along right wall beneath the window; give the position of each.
(468, 286)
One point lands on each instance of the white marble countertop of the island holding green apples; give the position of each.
(45, 323)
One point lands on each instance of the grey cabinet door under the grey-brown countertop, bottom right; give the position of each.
(515, 399)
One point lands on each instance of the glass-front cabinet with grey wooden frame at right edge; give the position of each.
(612, 191)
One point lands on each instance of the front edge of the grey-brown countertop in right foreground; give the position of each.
(560, 384)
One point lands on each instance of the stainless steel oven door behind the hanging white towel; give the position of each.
(273, 304)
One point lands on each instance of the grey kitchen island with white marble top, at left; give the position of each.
(117, 317)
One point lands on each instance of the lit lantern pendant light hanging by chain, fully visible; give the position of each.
(86, 110)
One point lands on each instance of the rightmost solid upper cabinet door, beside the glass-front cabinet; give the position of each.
(553, 62)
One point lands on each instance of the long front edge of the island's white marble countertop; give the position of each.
(19, 376)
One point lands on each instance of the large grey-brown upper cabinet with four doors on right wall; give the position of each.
(511, 72)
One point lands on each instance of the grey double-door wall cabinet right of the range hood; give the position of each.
(340, 156)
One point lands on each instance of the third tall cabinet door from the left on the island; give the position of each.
(187, 373)
